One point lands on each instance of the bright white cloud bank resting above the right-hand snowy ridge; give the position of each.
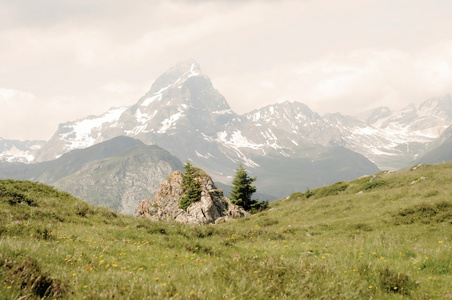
(355, 81)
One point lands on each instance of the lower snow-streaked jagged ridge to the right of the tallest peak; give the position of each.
(391, 140)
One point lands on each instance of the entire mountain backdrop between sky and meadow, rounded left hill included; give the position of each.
(183, 117)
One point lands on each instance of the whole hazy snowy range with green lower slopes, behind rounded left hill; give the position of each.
(286, 145)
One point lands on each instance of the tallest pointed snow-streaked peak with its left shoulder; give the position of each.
(180, 104)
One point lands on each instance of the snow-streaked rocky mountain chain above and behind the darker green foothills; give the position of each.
(182, 112)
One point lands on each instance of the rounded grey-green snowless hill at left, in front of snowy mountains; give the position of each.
(117, 173)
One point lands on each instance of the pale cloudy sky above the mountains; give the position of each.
(61, 60)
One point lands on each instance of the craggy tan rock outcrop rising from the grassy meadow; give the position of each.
(213, 207)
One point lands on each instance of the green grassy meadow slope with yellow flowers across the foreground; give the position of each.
(387, 236)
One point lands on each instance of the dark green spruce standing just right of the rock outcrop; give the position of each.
(242, 190)
